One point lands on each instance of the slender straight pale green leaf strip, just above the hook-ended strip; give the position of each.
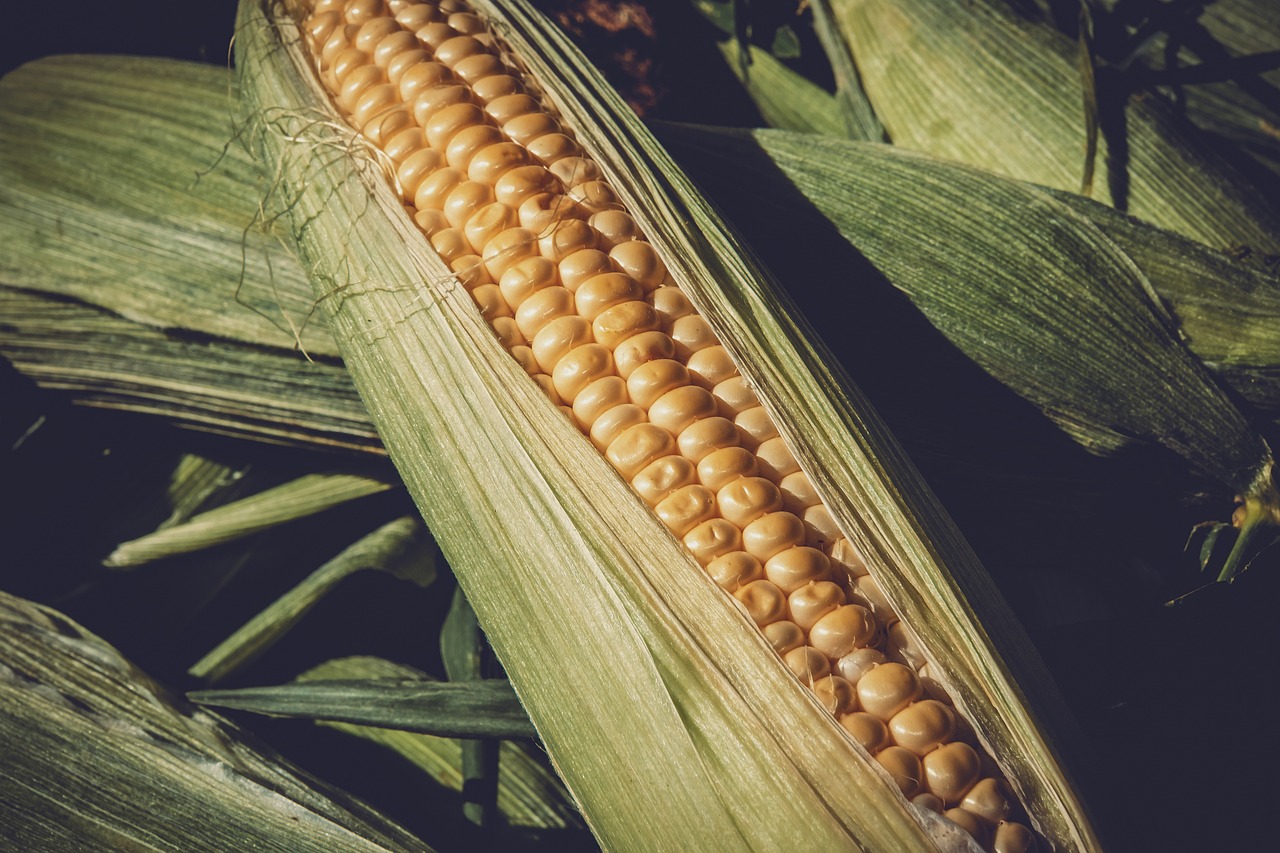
(299, 499)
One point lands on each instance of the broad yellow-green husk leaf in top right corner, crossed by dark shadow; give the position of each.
(979, 84)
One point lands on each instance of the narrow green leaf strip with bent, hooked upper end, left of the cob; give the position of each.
(401, 548)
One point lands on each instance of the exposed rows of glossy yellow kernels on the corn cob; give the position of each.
(564, 275)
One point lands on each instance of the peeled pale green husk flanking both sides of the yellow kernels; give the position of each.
(624, 653)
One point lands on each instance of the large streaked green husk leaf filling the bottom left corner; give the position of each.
(121, 765)
